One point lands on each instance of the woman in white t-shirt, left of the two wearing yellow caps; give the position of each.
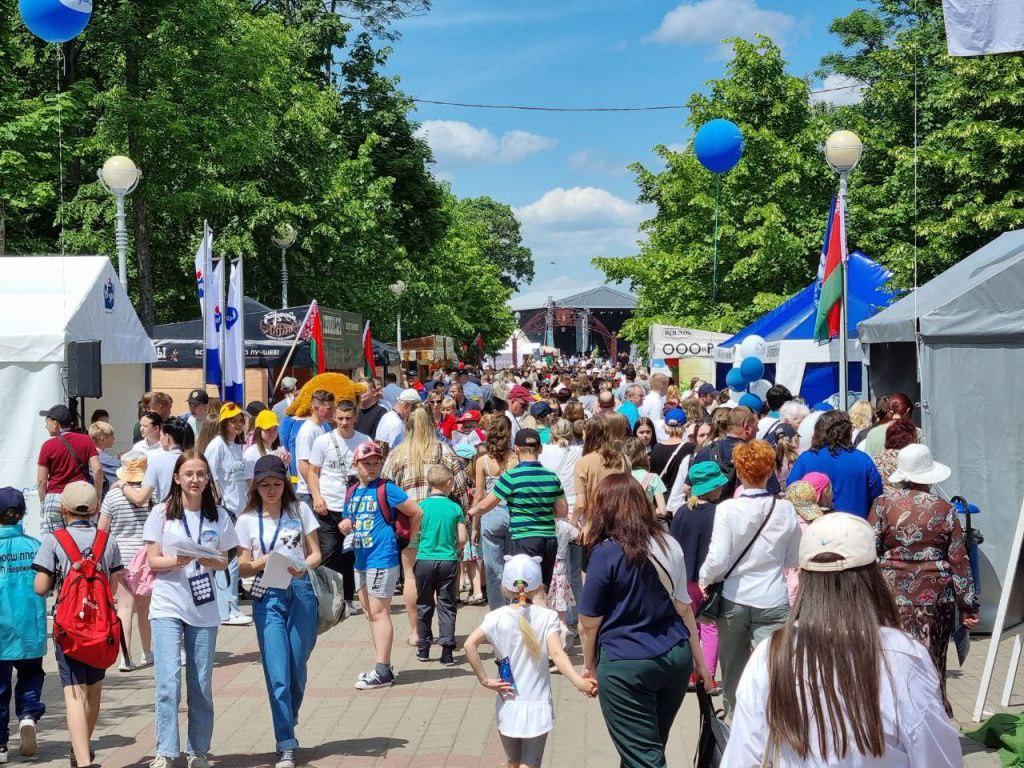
(229, 472)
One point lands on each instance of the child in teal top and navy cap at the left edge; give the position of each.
(23, 625)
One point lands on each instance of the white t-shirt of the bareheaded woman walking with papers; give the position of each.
(172, 594)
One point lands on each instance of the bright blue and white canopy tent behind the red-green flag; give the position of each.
(794, 359)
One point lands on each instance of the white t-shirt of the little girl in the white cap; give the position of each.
(530, 713)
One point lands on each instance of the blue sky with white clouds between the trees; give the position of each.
(566, 175)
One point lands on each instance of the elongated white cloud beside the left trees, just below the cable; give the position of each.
(459, 145)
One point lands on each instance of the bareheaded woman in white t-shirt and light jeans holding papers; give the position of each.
(183, 608)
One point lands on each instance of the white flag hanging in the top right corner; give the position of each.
(978, 27)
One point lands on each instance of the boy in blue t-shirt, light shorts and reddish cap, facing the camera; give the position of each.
(377, 554)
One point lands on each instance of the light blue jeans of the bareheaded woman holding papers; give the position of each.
(200, 646)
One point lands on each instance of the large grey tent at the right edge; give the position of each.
(970, 358)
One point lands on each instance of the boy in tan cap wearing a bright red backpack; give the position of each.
(87, 630)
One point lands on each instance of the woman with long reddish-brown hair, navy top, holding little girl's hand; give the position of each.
(636, 623)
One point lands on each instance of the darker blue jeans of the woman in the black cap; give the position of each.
(286, 628)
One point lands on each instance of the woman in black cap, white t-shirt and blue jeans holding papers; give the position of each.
(276, 523)
